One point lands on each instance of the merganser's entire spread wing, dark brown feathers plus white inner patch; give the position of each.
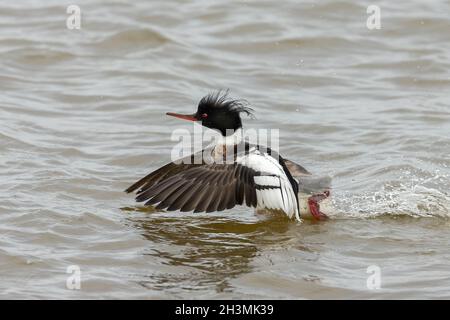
(255, 178)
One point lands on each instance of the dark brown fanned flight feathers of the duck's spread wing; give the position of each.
(201, 187)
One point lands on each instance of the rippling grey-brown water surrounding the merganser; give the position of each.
(82, 117)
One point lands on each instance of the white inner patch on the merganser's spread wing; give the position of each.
(273, 189)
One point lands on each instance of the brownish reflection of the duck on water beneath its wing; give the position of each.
(215, 248)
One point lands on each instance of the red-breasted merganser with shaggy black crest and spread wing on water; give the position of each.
(208, 181)
